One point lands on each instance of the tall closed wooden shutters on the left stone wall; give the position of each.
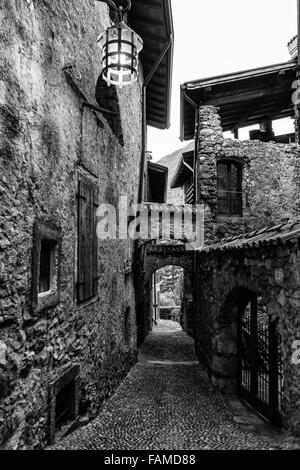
(87, 241)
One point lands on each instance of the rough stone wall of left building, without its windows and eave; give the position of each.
(48, 138)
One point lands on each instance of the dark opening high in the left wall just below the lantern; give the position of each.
(107, 98)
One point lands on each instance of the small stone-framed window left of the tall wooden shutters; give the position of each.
(46, 266)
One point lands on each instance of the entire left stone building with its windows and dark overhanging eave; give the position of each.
(67, 144)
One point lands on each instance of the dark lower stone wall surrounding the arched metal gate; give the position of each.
(225, 278)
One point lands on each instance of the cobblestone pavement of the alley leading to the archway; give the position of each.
(165, 403)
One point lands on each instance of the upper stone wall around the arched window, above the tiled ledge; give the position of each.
(271, 175)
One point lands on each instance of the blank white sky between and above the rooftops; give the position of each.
(213, 37)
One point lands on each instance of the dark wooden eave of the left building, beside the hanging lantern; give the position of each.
(152, 20)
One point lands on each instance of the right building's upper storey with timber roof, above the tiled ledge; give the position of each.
(249, 184)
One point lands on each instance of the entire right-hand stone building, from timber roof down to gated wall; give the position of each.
(245, 317)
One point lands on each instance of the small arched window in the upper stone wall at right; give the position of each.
(230, 197)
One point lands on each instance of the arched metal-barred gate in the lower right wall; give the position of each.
(260, 375)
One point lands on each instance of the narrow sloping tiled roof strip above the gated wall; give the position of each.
(269, 236)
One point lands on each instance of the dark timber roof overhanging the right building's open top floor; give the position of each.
(243, 98)
